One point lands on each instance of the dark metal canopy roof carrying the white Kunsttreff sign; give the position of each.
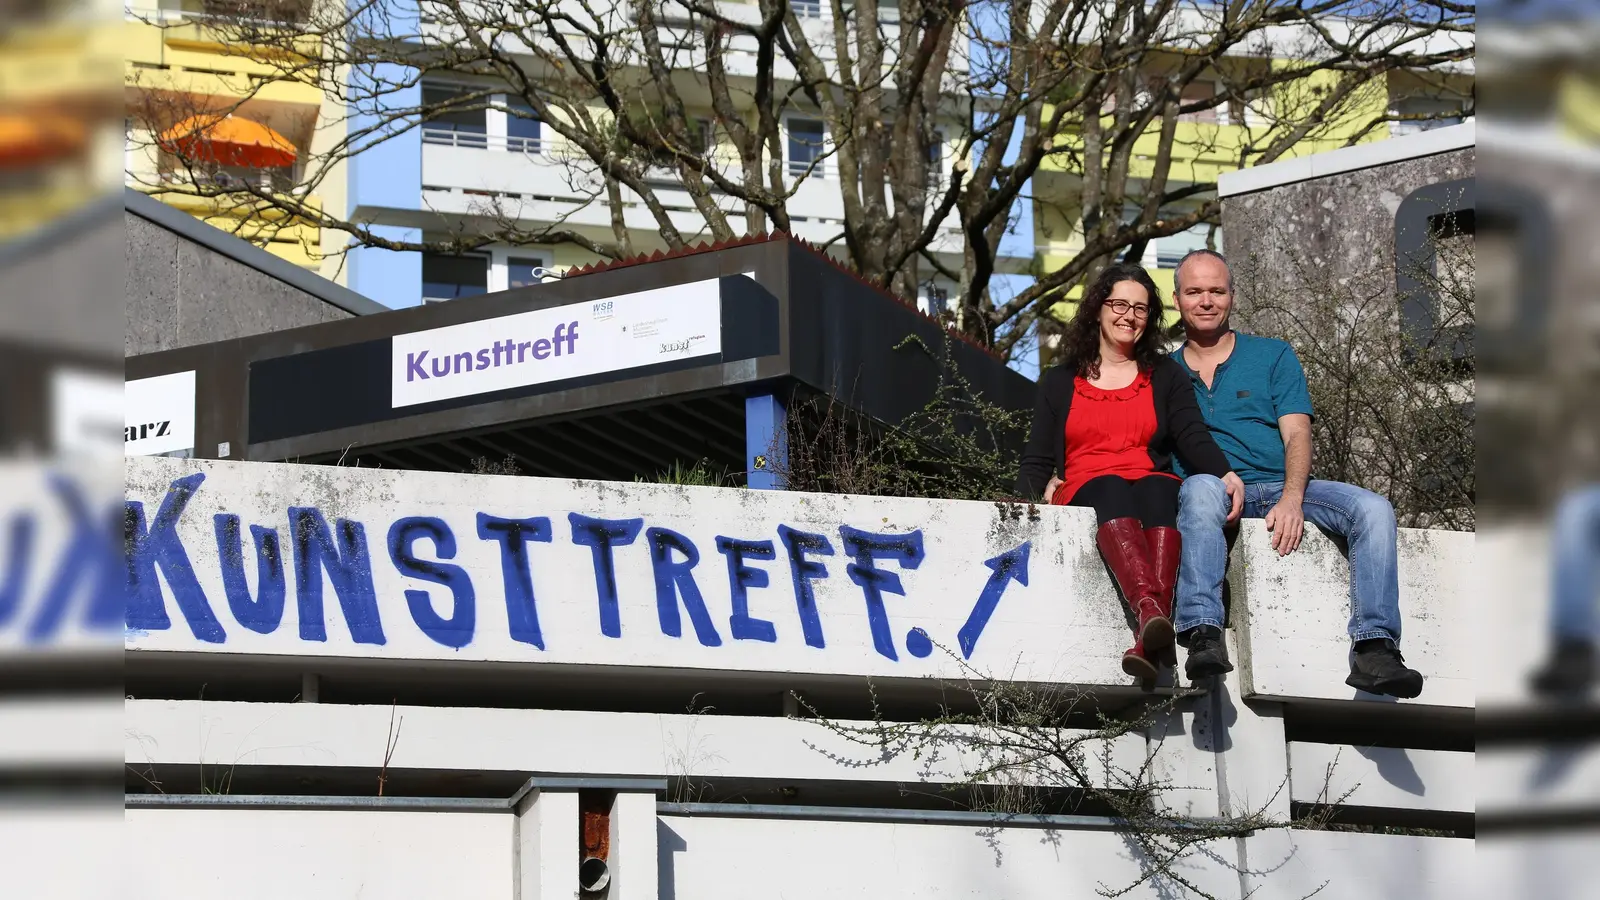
(793, 323)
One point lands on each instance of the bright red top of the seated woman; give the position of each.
(1108, 435)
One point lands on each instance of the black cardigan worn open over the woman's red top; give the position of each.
(1178, 427)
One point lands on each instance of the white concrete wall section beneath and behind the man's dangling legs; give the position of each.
(1294, 614)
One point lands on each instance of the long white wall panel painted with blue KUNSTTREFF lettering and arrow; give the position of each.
(282, 560)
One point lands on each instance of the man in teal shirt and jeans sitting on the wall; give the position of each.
(1254, 396)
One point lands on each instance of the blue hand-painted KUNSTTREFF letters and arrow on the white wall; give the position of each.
(442, 597)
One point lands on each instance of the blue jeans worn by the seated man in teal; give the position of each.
(1366, 520)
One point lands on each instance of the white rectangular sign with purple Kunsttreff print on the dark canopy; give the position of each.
(554, 345)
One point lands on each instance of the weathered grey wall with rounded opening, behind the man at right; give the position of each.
(1318, 262)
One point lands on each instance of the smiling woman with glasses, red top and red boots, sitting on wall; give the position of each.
(1106, 425)
